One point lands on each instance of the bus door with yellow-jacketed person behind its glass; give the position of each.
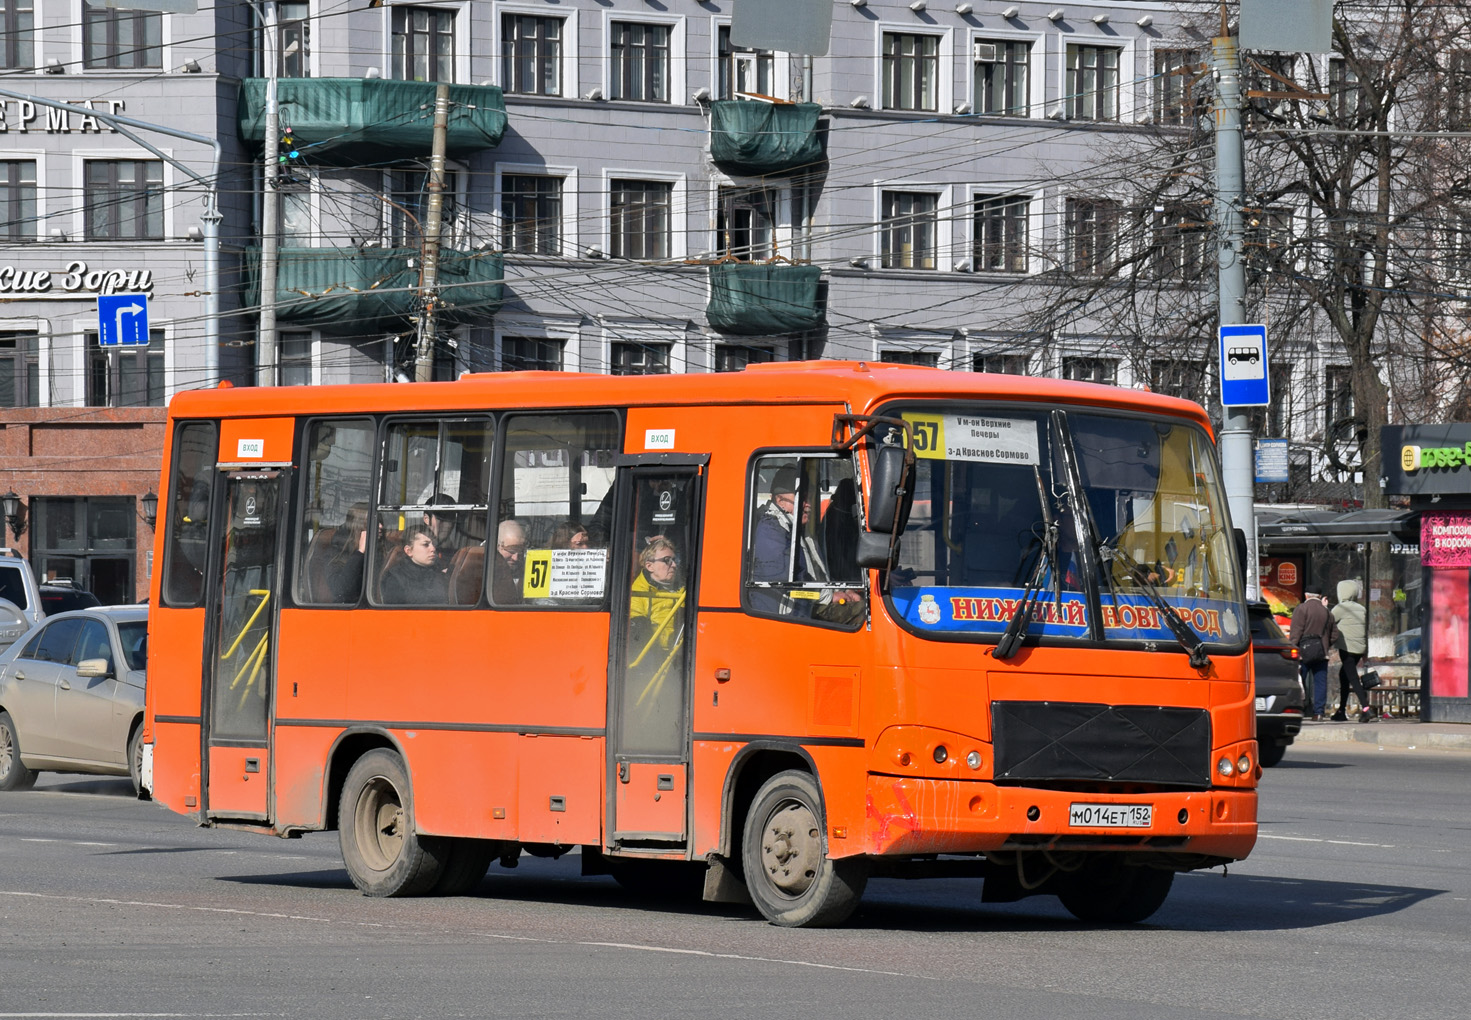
(655, 569)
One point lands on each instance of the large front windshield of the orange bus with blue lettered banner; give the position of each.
(1107, 520)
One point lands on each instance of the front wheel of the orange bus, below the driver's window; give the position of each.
(789, 875)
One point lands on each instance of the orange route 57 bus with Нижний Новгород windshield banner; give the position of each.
(779, 631)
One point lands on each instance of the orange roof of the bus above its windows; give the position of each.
(860, 385)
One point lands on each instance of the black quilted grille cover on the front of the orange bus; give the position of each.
(1120, 744)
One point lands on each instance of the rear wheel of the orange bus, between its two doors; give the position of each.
(382, 849)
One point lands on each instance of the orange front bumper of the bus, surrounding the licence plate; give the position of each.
(910, 816)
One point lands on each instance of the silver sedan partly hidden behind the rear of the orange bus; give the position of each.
(71, 697)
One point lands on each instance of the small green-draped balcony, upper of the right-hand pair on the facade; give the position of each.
(754, 139)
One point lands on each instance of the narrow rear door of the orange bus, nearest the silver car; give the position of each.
(241, 660)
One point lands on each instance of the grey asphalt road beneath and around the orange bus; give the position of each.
(1357, 903)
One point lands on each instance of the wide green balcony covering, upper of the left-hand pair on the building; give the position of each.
(343, 121)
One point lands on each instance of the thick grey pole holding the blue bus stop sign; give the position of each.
(1236, 435)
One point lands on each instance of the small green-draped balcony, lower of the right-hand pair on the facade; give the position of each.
(757, 300)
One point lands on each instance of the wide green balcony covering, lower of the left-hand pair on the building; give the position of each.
(376, 291)
